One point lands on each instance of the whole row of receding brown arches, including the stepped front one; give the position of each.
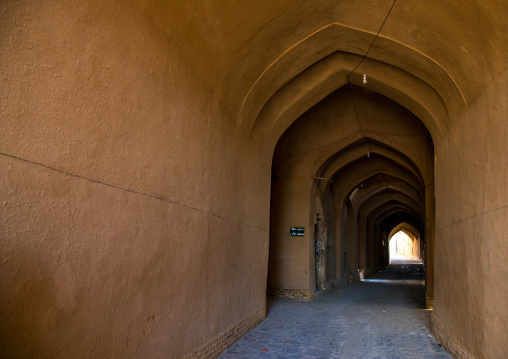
(313, 79)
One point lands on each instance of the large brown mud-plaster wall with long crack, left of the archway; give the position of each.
(130, 218)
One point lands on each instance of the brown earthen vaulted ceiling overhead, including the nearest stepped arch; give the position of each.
(449, 50)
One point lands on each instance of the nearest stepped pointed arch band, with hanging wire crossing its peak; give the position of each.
(319, 64)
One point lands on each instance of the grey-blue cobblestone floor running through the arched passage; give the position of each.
(382, 317)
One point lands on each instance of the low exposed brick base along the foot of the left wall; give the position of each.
(228, 338)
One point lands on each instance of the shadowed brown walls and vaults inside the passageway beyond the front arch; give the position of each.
(349, 170)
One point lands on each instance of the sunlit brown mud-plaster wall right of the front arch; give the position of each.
(471, 220)
